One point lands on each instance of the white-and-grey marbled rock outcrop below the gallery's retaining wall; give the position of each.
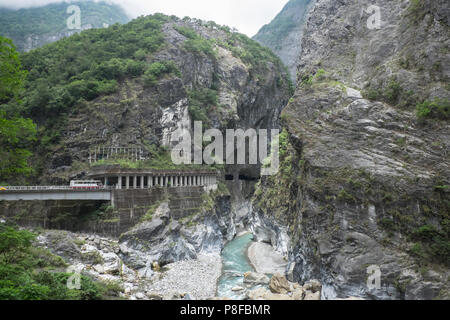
(166, 239)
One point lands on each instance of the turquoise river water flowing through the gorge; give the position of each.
(235, 264)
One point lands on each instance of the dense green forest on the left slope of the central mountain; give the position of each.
(87, 65)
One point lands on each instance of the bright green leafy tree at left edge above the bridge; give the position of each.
(16, 133)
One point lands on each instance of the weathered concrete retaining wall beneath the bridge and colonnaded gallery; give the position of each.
(128, 208)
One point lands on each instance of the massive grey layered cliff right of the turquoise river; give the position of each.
(364, 178)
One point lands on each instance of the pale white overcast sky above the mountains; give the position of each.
(248, 16)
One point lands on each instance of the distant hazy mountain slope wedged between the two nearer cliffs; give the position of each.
(283, 35)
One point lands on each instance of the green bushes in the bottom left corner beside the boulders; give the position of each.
(28, 273)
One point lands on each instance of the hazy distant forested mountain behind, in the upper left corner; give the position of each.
(34, 27)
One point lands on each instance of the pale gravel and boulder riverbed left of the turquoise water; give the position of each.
(103, 259)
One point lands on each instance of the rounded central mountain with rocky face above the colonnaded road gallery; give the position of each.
(198, 71)
